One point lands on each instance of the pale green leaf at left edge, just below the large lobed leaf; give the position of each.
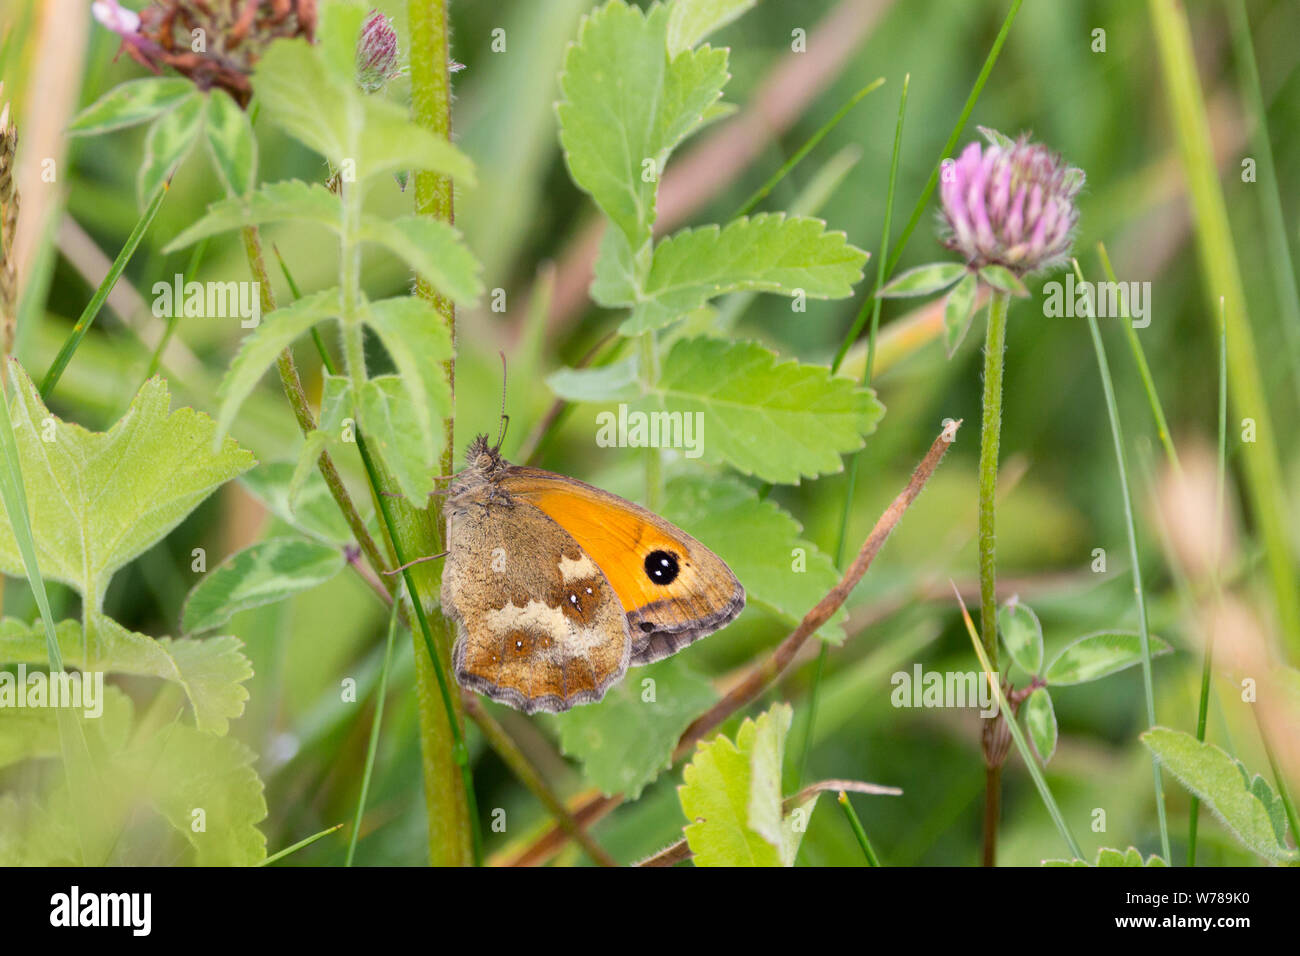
(211, 672)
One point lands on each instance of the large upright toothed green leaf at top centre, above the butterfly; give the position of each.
(626, 106)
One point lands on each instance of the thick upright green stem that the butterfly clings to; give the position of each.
(453, 830)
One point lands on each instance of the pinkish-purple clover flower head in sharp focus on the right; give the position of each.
(1011, 204)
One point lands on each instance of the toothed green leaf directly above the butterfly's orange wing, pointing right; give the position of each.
(778, 421)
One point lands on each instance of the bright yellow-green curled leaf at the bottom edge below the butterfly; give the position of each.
(731, 795)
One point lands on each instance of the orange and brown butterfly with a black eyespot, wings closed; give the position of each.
(557, 587)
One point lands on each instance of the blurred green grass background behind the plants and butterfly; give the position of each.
(1103, 111)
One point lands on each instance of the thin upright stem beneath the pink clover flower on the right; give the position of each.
(991, 431)
